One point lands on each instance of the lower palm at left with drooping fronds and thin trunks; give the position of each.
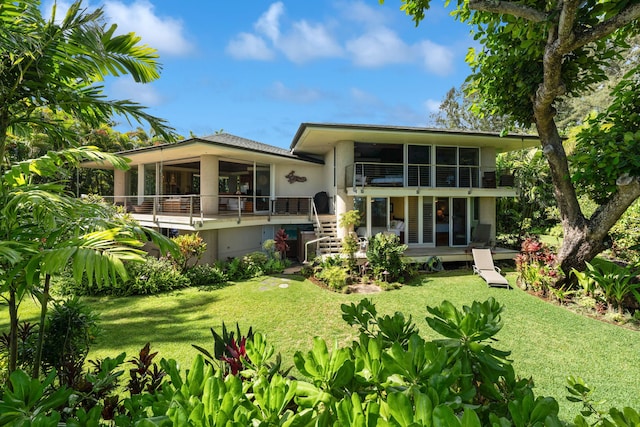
(44, 230)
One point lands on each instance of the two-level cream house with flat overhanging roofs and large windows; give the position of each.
(430, 187)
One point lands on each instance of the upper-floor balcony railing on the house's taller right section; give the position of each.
(363, 174)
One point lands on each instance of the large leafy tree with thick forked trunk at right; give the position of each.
(532, 56)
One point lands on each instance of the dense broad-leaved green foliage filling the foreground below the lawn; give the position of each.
(388, 376)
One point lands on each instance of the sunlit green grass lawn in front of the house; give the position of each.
(547, 342)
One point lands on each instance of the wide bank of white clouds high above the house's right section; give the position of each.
(303, 41)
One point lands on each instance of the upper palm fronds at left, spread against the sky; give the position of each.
(60, 66)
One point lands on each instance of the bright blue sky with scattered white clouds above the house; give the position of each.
(258, 69)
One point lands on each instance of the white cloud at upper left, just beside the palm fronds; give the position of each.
(163, 33)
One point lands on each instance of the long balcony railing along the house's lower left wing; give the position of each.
(195, 206)
